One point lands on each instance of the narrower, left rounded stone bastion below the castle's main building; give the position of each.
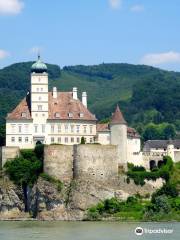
(58, 161)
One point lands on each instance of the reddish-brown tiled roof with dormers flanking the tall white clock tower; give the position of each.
(64, 107)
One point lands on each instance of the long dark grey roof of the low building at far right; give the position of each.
(160, 144)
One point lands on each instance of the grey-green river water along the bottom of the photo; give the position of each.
(35, 230)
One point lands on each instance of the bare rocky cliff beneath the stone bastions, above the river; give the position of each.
(47, 202)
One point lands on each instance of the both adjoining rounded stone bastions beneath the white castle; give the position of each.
(95, 161)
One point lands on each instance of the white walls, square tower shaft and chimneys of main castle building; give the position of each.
(25, 132)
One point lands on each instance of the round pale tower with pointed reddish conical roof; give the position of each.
(118, 127)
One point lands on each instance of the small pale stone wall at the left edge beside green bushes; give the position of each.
(8, 153)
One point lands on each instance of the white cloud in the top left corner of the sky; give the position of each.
(10, 7)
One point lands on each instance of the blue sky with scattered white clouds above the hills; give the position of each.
(71, 32)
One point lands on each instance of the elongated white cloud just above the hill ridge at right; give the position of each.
(160, 58)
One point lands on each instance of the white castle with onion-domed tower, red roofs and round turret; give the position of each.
(60, 117)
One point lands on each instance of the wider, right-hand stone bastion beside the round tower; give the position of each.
(95, 161)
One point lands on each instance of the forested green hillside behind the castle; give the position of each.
(145, 94)
